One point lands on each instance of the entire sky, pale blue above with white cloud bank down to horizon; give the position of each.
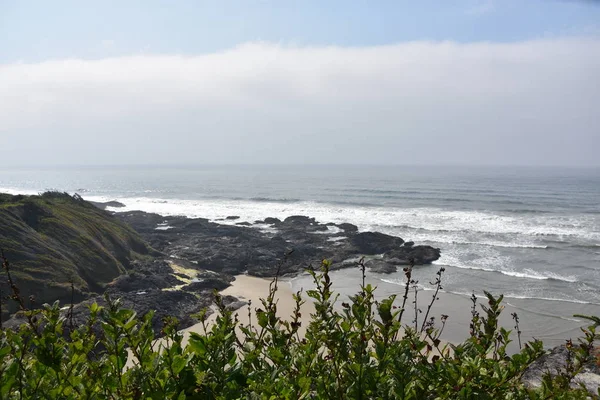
(468, 82)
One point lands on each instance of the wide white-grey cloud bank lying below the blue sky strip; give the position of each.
(531, 102)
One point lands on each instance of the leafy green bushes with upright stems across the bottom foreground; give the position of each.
(361, 350)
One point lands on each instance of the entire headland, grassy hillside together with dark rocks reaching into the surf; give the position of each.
(171, 264)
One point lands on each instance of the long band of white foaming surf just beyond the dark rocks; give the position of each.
(466, 225)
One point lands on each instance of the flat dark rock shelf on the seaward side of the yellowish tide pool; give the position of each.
(301, 240)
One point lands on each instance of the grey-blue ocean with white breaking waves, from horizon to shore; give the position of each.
(532, 234)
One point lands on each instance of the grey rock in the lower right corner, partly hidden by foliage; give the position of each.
(555, 361)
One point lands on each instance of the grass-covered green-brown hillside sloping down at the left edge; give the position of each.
(55, 239)
